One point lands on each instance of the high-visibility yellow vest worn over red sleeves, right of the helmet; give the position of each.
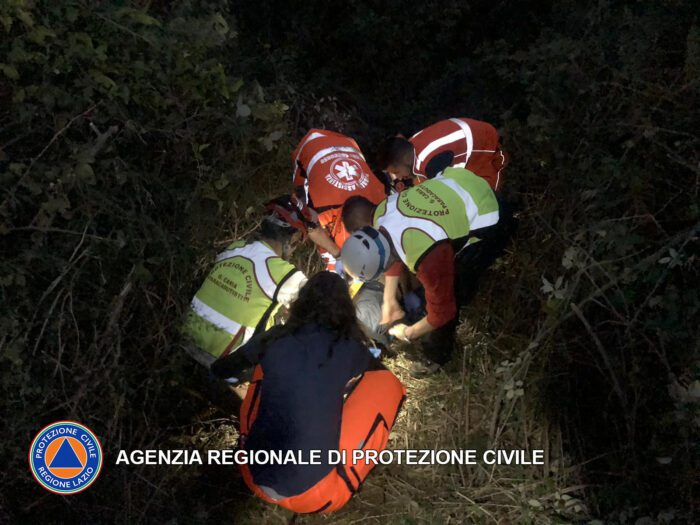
(449, 206)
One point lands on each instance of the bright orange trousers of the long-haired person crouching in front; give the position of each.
(369, 413)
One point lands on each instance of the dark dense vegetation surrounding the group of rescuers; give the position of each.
(137, 139)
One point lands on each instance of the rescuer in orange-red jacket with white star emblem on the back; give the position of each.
(329, 168)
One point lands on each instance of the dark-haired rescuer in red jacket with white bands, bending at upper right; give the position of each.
(456, 142)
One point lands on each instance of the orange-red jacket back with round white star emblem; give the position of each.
(331, 168)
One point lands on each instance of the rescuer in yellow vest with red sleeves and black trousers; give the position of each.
(446, 231)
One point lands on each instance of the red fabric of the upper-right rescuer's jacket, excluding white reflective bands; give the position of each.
(487, 159)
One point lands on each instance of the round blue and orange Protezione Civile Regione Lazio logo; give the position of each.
(65, 457)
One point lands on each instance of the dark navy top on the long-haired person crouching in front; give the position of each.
(301, 401)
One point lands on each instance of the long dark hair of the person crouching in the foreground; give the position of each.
(325, 301)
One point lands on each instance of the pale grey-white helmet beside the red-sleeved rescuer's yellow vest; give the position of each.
(366, 254)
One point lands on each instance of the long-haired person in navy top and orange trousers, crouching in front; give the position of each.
(315, 387)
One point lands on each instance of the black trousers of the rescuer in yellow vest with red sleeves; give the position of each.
(470, 264)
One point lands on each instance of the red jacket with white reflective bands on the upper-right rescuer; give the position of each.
(461, 143)
